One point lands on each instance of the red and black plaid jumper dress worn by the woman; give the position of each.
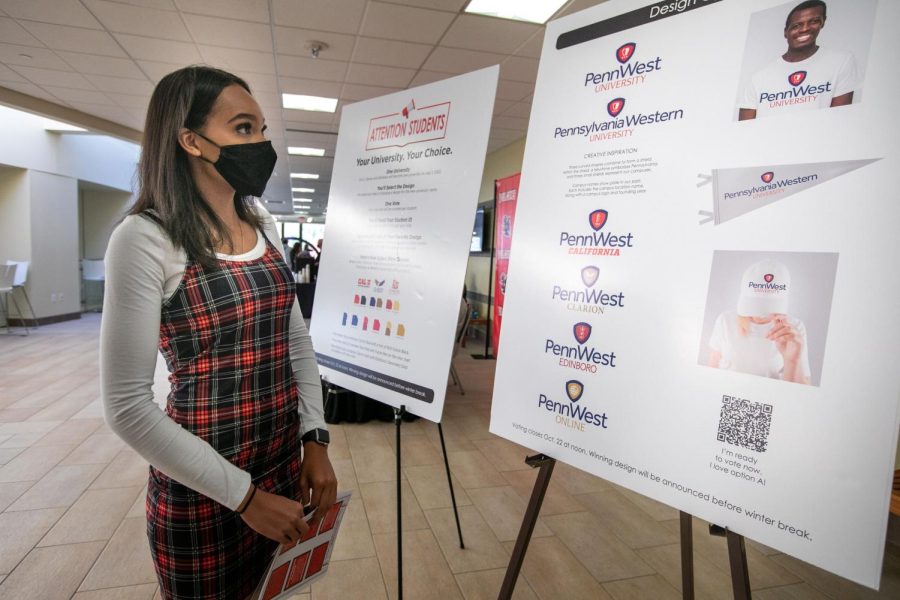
(224, 335)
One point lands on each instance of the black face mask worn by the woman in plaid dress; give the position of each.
(246, 167)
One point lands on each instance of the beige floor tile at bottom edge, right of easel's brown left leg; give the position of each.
(554, 573)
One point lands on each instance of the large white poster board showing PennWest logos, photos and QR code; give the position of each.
(703, 285)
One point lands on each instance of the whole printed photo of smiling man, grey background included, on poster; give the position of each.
(812, 71)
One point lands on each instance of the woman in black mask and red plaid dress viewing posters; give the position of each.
(196, 270)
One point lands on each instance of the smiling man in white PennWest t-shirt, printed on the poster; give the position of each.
(806, 76)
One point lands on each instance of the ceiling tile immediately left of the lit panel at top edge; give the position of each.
(405, 23)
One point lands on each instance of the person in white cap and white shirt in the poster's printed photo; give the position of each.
(759, 337)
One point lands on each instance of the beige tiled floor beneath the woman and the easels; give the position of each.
(72, 525)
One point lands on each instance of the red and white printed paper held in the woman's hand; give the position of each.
(296, 566)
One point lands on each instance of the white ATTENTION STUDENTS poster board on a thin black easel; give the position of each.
(407, 170)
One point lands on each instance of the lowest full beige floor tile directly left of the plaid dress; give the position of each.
(125, 561)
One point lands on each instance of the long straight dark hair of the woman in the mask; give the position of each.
(184, 98)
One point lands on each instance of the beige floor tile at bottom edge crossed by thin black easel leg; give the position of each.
(426, 574)
